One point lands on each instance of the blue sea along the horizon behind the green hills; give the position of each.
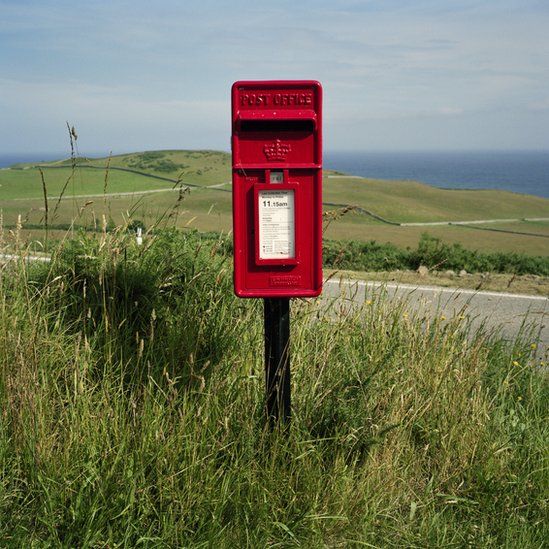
(524, 172)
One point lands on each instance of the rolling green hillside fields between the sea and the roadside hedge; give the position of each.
(95, 190)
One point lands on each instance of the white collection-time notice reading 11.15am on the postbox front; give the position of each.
(276, 224)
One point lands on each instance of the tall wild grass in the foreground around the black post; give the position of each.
(131, 383)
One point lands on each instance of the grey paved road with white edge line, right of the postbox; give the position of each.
(502, 312)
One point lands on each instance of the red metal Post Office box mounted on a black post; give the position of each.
(277, 188)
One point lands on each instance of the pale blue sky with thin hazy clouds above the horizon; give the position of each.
(397, 75)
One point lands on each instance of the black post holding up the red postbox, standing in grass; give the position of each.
(277, 359)
